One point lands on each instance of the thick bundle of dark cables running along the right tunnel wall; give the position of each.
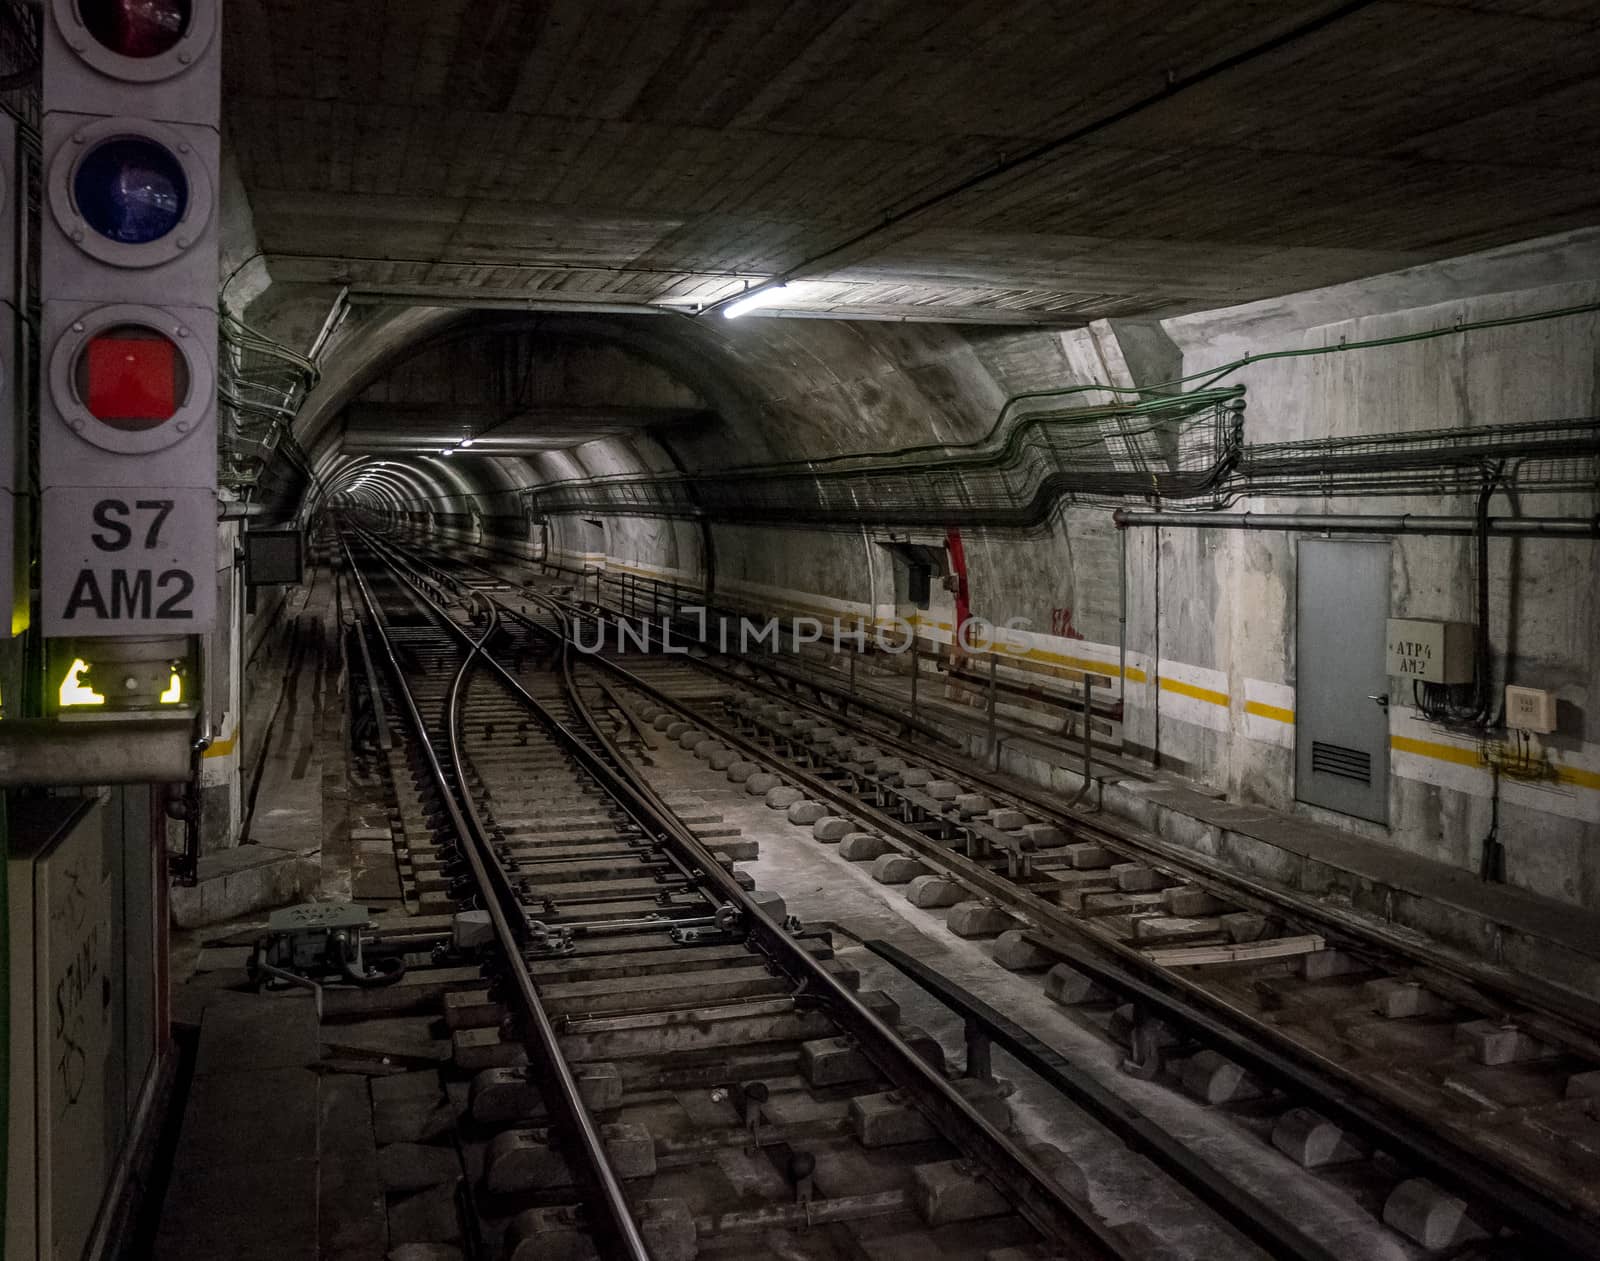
(1174, 442)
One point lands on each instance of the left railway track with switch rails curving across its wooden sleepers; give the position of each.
(655, 1063)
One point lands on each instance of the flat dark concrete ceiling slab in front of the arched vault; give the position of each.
(666, 153)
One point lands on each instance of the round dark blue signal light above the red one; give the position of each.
(130, 190)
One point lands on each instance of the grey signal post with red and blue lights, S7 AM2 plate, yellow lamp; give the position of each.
(129, 350)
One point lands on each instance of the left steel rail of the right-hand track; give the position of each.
(1535, 1211)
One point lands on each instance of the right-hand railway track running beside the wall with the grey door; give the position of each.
(1374, 1059)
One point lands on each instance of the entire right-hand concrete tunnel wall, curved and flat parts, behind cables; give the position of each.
(1207, 612)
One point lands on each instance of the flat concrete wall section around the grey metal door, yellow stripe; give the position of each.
(1226, 599)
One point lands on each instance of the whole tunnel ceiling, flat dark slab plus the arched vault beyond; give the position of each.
(606, 167)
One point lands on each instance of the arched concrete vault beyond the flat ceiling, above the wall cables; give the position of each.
(713, 393)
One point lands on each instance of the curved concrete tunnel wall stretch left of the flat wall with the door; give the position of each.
(791, 390)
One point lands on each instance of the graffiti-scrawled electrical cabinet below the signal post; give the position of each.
(87, 1011)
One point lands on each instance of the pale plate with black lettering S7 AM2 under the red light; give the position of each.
(129, 561)
